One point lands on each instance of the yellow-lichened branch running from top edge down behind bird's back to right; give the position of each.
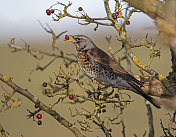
(126, 42)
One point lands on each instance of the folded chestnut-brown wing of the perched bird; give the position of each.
(104, 59)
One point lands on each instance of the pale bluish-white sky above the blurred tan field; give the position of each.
(19, 18)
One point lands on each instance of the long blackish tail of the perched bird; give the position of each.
(147, 97)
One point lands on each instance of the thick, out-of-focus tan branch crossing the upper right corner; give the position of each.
(163, 13)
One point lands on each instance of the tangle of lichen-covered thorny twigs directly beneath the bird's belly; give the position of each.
(99, 98)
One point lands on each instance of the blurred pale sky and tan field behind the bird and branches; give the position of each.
(19, 19)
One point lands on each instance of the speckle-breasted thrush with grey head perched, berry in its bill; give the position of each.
(97, 64)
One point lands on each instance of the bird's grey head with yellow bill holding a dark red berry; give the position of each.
(81, 42)
